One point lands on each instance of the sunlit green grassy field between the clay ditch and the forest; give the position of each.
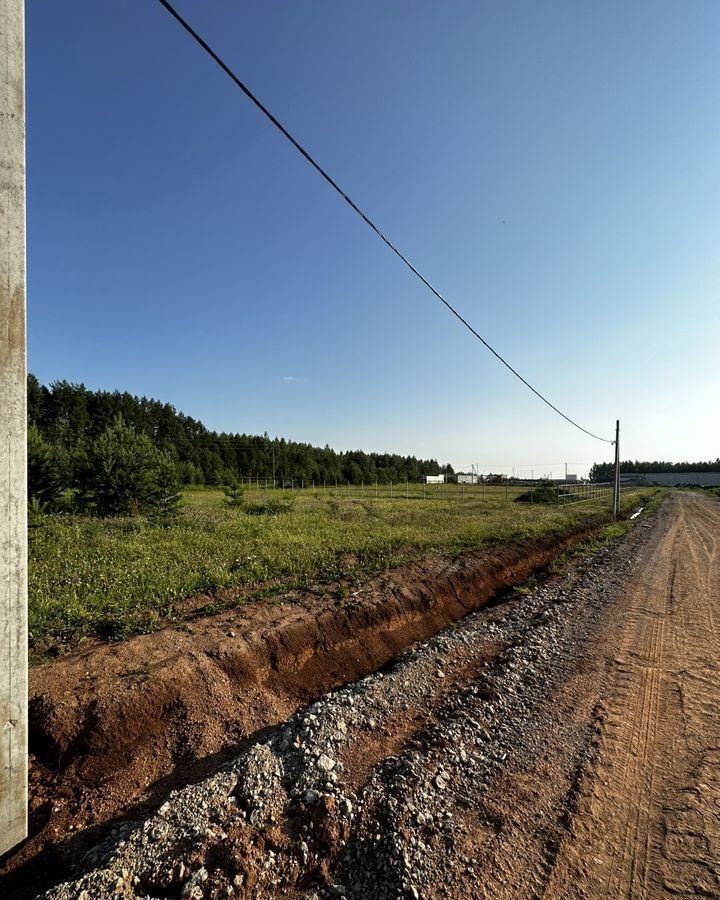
(120, 576)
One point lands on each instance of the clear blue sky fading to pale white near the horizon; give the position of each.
(554, 168)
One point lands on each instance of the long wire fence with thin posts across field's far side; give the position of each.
(531, 490)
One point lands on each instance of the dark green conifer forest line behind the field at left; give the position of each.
(67, 420)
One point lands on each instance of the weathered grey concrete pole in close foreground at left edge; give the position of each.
(13, 431)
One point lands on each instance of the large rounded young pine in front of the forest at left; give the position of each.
(124, 474)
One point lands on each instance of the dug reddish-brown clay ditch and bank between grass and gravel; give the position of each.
(115, 727)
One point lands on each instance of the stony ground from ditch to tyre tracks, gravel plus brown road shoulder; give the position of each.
(453, 772)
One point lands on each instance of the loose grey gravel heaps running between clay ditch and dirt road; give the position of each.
(362, 794)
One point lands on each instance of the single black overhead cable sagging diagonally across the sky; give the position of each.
(276, 122)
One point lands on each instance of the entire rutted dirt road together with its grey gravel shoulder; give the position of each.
(563, 743)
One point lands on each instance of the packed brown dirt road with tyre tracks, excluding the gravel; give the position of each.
(649, 813)
